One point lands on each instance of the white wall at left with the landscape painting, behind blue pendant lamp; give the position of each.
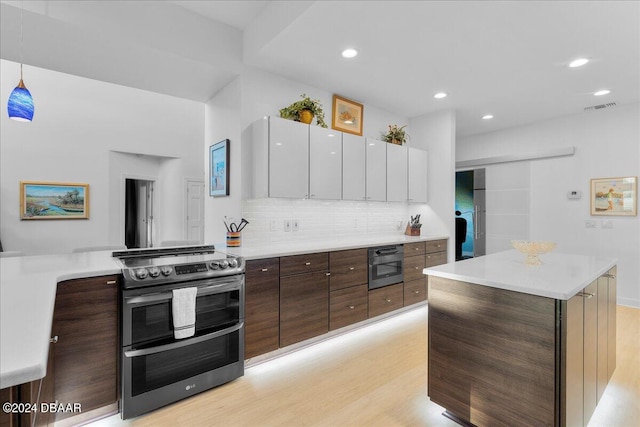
(78, 125)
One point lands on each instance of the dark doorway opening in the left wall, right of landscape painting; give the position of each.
(138, 217)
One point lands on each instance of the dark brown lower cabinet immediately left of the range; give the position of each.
(86, 325)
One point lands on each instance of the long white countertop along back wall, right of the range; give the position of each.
(268, 250)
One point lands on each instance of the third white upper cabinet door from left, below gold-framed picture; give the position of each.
(353, 167)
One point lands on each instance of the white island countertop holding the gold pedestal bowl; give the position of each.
(560, 276)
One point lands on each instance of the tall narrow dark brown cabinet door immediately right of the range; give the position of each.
(262, 306)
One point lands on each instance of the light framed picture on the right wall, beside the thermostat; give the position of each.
(614, 196)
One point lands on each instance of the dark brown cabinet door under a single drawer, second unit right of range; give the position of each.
(304, 306)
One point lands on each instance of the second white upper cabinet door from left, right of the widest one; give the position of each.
(325, 163)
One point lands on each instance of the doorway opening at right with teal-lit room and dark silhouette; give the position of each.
(470, 214)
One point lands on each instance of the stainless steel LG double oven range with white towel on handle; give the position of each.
(157, 369)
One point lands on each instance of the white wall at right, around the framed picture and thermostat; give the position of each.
(606, 144)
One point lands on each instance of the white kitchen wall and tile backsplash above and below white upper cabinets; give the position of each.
(263, 94)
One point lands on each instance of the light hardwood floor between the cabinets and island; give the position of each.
(375, 376)
